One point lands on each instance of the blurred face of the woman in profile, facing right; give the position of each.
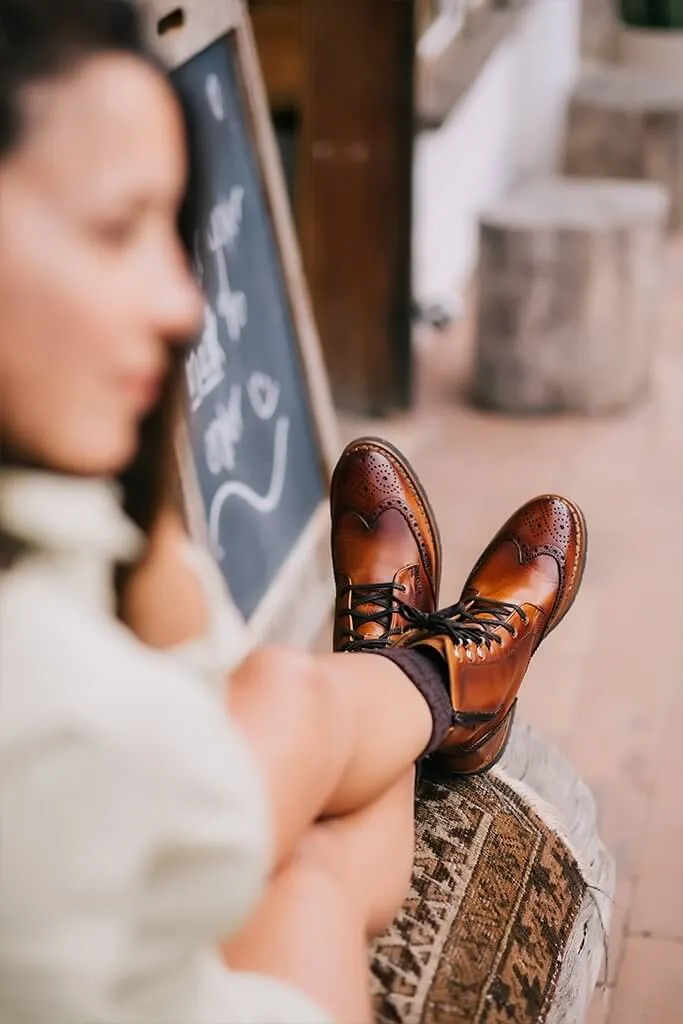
(95, 287)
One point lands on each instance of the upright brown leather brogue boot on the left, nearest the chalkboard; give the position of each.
(386, 546)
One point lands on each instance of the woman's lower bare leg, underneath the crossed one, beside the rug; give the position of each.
(347, 882)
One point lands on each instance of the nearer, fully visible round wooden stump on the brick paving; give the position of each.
(570, 274)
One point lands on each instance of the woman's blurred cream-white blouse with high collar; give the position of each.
(135, 832)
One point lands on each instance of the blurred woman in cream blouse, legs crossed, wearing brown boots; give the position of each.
(170, 850)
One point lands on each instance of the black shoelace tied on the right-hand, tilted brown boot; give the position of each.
(475, 621)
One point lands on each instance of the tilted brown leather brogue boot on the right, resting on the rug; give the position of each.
(520, 590)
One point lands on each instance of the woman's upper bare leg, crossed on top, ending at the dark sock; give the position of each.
(331, 734)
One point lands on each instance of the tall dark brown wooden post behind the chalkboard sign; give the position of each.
(356, 216)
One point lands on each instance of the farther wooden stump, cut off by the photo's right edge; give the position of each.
(626, 124)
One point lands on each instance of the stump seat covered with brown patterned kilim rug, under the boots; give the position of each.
(510, 900)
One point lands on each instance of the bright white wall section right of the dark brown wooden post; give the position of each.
(509, 125)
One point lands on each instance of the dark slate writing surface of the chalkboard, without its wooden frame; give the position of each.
(251, 425)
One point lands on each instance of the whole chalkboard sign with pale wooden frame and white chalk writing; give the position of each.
(259, 413)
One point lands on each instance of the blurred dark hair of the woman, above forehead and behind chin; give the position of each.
(41, 39)
